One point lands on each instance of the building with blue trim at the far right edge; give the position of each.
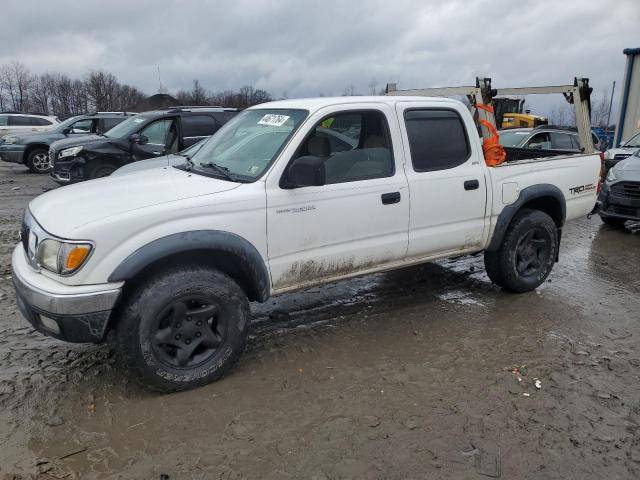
(629, 121)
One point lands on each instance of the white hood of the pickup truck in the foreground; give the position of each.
(62, 211)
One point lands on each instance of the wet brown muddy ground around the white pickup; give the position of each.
(402, 375)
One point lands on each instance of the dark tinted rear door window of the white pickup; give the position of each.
(437, 139)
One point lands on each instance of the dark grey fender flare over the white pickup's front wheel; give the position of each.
(246, 257)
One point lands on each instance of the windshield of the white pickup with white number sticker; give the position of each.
(245, 146)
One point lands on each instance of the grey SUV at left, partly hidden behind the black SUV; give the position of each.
(32, 149)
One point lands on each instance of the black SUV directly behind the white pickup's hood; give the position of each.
(146, 135)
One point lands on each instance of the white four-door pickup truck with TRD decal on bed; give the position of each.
(286, 195)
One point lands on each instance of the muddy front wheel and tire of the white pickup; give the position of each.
(182, 300)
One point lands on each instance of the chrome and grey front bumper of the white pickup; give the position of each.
(76, 314)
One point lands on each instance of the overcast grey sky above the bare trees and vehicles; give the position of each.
(296, 48)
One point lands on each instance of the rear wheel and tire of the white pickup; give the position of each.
(527, 254)
